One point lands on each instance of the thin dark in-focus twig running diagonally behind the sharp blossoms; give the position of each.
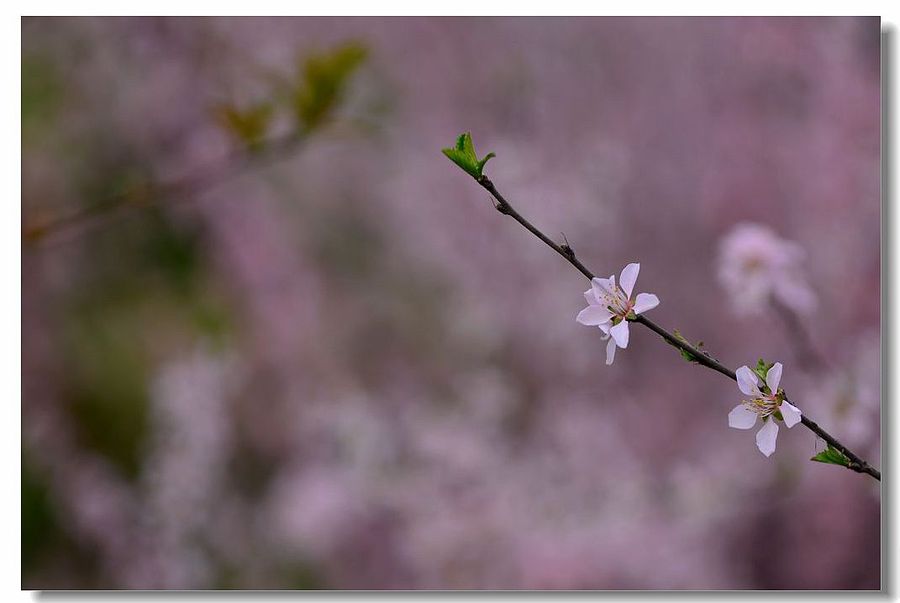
(855, 462)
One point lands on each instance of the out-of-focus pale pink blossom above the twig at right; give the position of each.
(757, 267)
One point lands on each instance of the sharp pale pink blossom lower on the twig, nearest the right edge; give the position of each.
(766, 402)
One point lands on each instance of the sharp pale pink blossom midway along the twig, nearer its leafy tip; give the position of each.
(610, 307)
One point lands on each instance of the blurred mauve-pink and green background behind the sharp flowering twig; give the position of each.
(273, 338)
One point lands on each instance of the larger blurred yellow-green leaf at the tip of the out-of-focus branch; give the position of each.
(322, 81)
